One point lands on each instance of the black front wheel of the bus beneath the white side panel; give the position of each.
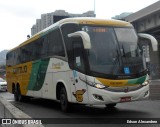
(64, 100)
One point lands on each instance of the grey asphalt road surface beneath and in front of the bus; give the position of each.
(49, 109)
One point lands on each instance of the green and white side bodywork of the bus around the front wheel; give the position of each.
(45, 75)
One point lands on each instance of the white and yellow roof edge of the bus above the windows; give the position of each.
(79, 20)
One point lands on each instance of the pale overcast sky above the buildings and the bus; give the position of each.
(18, 16)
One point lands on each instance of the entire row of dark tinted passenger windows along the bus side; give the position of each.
(48, 45)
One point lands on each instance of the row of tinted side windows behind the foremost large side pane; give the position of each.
(32, 51)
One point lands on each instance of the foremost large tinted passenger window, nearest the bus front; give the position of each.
(55, 44)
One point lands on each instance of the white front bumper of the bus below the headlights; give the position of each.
(102, 96)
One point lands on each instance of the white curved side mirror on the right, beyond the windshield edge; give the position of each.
(154, 42)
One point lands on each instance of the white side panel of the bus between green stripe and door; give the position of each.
(57, 72)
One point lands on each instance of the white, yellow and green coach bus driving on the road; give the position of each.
(80, 60)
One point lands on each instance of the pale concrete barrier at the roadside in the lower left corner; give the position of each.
(7, 110)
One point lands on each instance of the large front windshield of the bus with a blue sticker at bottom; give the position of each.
(114, 51)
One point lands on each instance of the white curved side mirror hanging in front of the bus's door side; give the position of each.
(85, 38)
